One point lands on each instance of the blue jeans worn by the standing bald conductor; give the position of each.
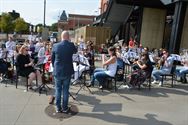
(59, 85)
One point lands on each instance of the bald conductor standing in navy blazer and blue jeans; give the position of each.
(63, 69)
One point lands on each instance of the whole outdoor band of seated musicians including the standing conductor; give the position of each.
(63, 60)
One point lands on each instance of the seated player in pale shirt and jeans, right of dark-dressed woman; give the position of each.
(166, 63)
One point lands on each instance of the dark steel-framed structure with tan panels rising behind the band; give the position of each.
(153, 23)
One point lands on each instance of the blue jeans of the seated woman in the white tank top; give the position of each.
(100, 76)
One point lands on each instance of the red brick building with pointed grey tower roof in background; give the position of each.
(73, 21)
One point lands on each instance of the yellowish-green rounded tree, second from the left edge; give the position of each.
(20, 25)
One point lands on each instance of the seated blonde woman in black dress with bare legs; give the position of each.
(25, 66)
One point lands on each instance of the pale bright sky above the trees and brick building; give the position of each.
(32, 10)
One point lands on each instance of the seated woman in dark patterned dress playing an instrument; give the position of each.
(144, 70)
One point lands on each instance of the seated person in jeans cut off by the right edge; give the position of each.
(183, 71)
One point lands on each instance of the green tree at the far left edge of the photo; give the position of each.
(6, 23)
